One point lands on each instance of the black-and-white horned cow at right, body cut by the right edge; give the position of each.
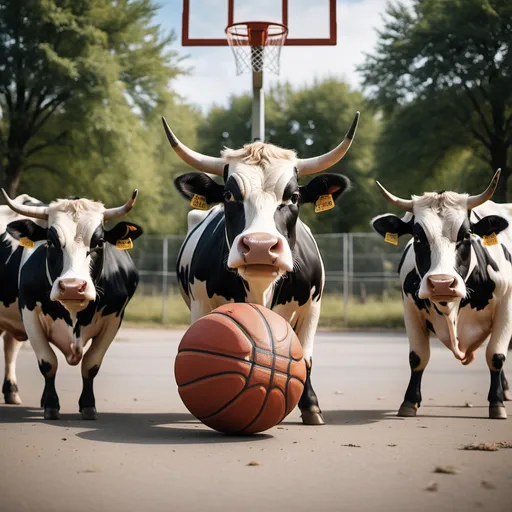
(456, 275)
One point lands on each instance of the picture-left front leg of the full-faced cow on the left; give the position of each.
(47, 361)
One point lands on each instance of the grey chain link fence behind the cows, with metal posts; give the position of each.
(358, 266)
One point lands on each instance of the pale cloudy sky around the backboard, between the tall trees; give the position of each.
(213, 76)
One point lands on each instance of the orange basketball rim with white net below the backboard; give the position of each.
(256, 45)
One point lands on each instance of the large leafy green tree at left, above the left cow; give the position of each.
(79, 85)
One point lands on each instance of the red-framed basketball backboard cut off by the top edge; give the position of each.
(309, 22)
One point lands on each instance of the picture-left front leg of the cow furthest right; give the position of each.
(419, 355)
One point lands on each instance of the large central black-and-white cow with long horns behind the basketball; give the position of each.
(252, 246)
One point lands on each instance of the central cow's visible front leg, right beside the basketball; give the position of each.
(305, 330)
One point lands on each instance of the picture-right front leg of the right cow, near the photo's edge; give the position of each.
(495, 355)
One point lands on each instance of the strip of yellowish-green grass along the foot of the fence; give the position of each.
(146, 311)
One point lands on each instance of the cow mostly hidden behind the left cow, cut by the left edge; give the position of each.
(11, 325)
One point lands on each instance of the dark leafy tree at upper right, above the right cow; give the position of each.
(443, 72)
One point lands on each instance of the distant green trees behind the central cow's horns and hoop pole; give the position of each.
(310, 120)
